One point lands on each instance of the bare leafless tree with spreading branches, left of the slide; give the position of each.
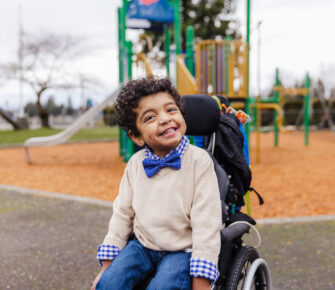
(45, 62)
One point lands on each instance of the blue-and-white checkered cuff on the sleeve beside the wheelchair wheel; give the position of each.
(205, 269)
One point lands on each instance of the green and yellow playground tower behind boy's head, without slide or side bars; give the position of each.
(217, 68)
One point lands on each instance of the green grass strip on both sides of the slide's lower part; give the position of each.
(9, 137)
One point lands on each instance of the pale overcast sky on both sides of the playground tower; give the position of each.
(296, 36)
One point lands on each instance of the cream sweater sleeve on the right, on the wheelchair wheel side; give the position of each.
(206, 215)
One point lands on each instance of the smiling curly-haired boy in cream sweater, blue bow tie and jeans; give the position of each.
(168, 197)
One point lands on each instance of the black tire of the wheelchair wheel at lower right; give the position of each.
(239, 270)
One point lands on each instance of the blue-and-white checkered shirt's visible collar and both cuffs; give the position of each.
(198, 267)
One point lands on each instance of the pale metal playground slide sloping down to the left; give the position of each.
(72, 129)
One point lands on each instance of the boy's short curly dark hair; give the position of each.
(127, 100)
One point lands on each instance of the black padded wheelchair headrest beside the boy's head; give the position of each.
(202, 114)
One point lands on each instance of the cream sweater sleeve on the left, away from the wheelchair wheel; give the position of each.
(121, 222)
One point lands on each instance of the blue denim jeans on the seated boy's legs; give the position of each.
(135, 262)
